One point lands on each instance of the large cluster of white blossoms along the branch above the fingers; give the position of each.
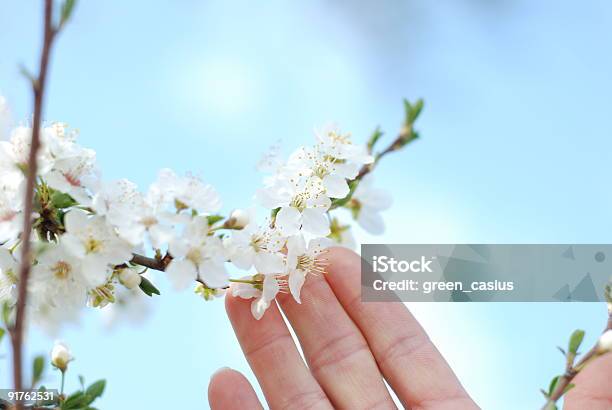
(90, 235)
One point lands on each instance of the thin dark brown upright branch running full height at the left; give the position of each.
(38, 87)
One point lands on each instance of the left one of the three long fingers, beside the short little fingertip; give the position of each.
(274, 358)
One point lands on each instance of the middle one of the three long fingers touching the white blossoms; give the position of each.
(336, 351)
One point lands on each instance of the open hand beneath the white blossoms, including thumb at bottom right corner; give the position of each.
(350, 347)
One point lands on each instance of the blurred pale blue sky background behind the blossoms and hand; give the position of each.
(515, 148)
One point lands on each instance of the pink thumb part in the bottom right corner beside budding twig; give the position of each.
(593, 389)
